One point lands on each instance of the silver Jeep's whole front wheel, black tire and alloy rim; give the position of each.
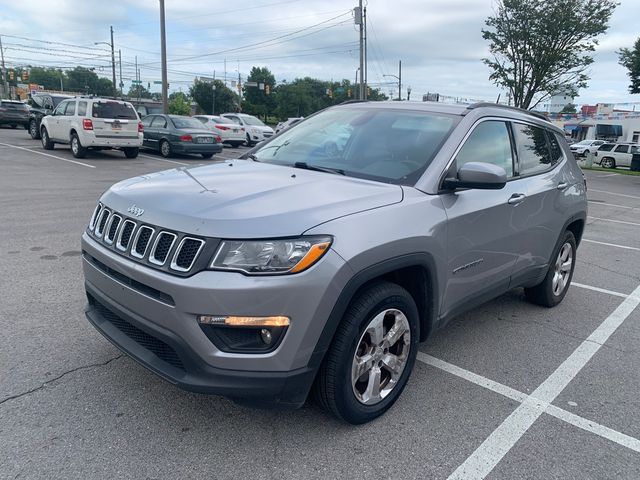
(372, 355)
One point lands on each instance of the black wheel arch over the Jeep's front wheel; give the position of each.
(415, 272)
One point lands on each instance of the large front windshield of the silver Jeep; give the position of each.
(394, 146)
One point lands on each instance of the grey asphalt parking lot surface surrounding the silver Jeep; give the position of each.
(509, 390)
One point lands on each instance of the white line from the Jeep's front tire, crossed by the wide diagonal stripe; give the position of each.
(520, 397)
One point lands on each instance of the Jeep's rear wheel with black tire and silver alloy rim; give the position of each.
(555, 285)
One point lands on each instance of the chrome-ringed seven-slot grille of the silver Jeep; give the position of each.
(169, 251)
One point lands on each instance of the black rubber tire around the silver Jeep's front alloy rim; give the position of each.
(333, 388)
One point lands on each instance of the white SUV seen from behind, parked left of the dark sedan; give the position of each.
(96, 123)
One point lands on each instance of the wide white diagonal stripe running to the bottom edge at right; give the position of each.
(484, 459)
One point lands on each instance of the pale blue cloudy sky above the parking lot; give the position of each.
(439, 42)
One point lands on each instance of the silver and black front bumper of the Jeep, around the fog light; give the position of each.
(164, 336)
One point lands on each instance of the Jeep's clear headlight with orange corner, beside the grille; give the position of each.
(270, 256)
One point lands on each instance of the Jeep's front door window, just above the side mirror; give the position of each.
(490, 143)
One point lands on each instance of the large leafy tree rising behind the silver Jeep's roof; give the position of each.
(541, 46)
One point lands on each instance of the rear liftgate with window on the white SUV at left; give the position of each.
(112, 120)
